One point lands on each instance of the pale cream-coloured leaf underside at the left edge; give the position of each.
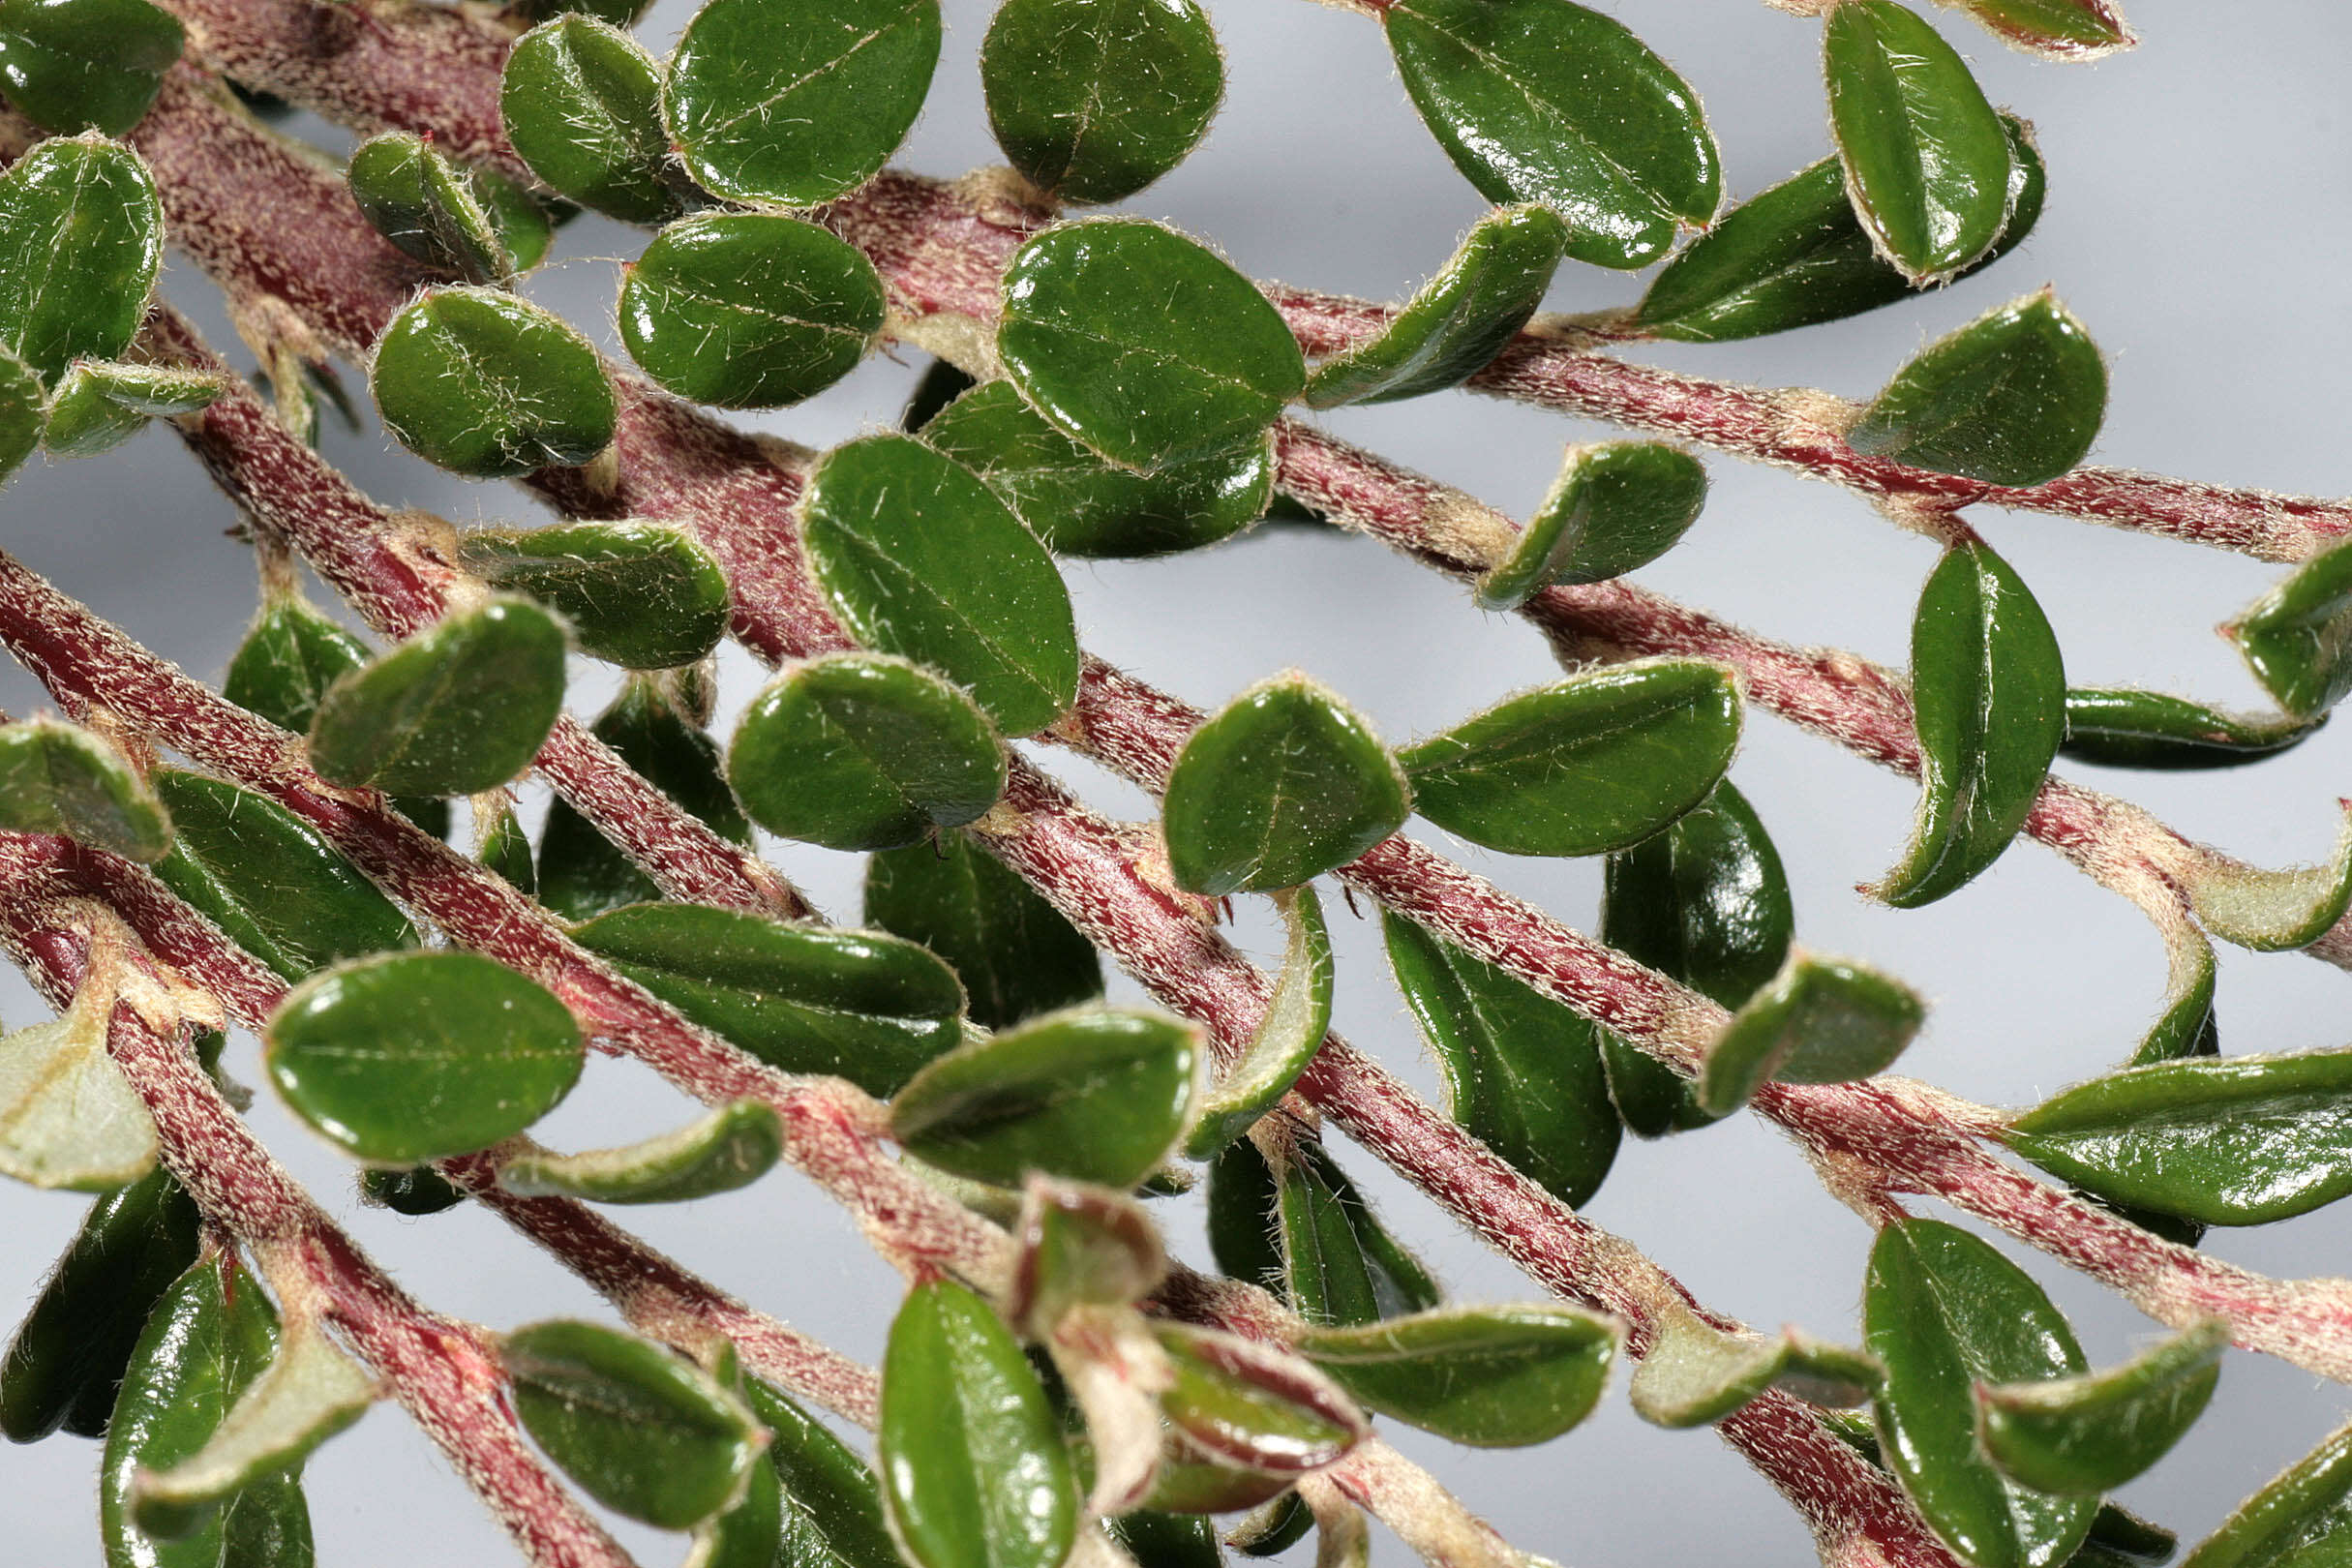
(67, 1113)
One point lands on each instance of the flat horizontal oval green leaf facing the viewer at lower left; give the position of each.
(422, 1054)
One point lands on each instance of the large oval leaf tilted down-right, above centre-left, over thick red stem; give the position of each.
(923, 561)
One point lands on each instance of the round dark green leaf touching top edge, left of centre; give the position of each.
(1095, 100)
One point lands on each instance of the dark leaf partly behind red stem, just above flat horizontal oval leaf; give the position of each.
(269, 880)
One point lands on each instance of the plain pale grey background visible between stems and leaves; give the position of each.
(2198, 222)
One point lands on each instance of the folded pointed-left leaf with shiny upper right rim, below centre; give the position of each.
(1095, 1097)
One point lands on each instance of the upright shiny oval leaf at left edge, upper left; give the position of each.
(81, 243)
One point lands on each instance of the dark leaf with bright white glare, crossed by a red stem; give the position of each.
(1706, 904)
